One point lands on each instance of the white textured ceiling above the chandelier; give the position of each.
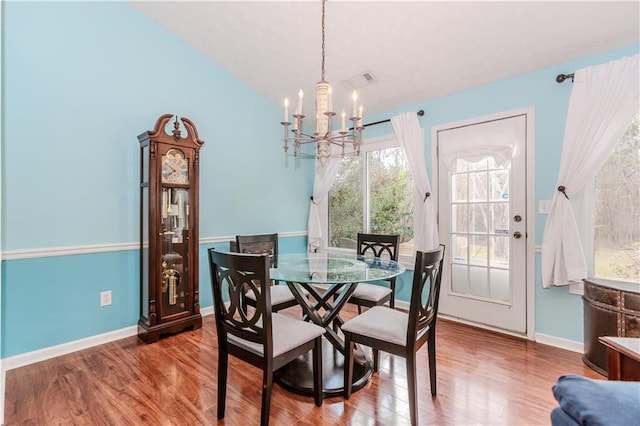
(415, 50)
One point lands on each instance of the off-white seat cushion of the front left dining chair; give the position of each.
(288, 333)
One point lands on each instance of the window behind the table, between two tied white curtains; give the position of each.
(372, 193)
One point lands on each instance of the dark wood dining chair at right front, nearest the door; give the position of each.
(400, 333)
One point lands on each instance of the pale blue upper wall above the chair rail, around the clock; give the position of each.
(79, 90)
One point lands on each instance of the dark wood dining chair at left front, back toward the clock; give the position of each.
(255, 335)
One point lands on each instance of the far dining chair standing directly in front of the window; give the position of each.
(376, 245)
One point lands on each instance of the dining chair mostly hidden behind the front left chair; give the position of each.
(281, 295)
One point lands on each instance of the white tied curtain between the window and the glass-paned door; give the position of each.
(425, 228)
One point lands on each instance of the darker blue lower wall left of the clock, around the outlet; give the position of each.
(54, 300)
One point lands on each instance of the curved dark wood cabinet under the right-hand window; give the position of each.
(610, 309)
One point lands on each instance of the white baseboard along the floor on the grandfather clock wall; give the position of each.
(74, 346)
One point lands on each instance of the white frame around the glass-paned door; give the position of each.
(529, 113)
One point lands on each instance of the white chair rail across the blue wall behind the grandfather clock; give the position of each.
(104, 248)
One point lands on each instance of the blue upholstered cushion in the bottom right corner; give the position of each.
(598, 402)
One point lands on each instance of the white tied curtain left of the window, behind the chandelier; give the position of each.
(324, 178)
